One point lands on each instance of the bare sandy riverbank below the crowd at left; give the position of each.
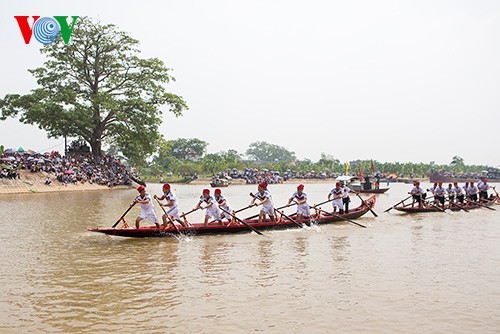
(35, 183)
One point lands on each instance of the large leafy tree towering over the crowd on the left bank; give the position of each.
(98, 88)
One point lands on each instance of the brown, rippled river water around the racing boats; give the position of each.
(424, 273)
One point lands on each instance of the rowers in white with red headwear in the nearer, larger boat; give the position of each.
(217, 208)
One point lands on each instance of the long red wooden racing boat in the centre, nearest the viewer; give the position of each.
(234, 227)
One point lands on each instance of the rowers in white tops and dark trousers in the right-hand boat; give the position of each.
(454, 194)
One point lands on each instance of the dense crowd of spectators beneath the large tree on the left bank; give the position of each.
(75, 168)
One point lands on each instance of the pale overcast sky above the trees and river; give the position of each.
(389, 80)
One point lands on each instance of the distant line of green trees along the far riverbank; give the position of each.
(188, 156)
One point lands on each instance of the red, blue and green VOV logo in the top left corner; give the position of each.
(46, 29)
